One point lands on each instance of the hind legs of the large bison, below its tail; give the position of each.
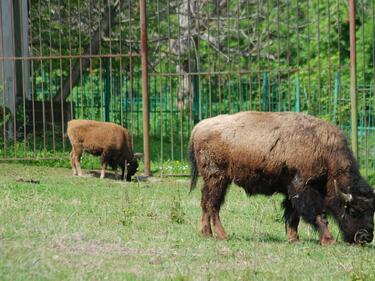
(213, 195)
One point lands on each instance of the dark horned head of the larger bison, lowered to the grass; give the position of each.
(355, 212)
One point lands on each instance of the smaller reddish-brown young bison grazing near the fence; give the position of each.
(108, 140)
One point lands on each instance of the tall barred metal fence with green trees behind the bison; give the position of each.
(81, 59)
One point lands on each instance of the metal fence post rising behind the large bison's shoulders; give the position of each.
(353, 78)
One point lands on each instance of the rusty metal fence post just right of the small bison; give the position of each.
(146, 122)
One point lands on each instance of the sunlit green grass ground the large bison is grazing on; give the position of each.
(69, 228)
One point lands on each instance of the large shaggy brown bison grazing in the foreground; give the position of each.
(298, 155)
